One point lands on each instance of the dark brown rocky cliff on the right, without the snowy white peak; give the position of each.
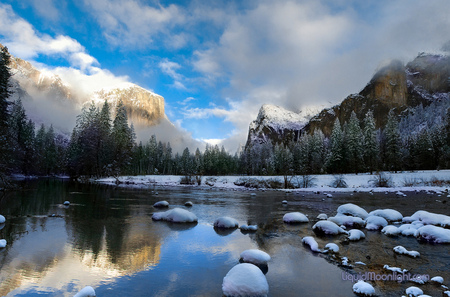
(394, 86)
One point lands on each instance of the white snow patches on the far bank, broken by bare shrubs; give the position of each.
(356, 182)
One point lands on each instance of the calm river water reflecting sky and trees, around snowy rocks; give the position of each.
(106, 239)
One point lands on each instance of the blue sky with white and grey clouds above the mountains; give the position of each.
(217, 62)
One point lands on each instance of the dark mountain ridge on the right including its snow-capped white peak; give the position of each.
(421, 82)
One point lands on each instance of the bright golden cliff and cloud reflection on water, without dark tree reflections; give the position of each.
(44, 260)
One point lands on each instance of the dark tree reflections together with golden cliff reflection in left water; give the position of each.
(109, 236)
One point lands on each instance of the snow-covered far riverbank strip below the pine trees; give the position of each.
(403, 181)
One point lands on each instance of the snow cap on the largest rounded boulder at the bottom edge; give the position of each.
(245, 280)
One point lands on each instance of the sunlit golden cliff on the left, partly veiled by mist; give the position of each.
(144, 108)
